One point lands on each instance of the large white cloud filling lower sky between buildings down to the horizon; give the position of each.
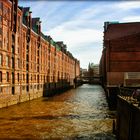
(80, 41)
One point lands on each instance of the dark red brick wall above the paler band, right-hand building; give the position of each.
(122, 50)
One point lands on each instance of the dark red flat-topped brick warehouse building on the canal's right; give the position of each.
(120, 61)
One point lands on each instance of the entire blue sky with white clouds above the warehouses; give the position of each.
(79, 24)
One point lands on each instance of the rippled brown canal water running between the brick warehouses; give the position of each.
(80, 113)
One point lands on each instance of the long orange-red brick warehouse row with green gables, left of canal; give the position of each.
(30, 62)
